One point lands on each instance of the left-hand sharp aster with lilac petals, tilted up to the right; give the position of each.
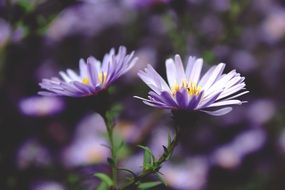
(93, 76)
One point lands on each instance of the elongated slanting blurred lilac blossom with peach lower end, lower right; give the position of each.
(231, 155)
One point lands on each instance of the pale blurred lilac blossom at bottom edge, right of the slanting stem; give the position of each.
(190, 175)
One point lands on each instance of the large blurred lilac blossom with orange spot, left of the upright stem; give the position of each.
(88, 144)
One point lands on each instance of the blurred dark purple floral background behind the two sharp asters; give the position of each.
(56, 143)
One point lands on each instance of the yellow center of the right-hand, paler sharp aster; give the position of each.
(192, 88)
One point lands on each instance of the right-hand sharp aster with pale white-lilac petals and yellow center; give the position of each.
(212, 93)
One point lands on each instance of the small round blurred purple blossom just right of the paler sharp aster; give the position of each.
(261, 111)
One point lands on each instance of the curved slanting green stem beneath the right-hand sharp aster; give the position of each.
(158, 164)
